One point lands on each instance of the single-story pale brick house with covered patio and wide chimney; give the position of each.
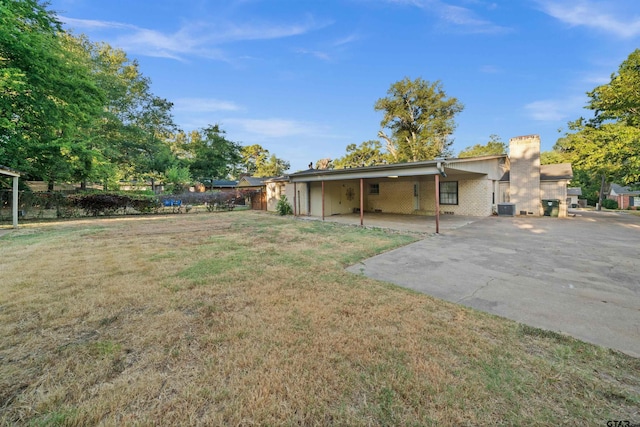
(470, 186)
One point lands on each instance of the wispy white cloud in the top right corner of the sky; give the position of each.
(598, 15)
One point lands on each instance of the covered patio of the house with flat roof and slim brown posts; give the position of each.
(423, 192)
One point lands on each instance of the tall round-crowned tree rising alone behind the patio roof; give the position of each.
(420, 118)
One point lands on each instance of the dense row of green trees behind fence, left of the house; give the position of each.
(73, 110)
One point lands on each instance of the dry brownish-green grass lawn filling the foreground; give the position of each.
(243, 318)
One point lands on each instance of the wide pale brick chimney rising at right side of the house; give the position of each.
(524, 177)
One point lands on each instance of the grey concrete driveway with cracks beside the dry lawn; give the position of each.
(579, 275)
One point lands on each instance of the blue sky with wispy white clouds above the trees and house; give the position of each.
(301, 77)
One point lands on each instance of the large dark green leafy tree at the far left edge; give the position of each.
(48, 93)
